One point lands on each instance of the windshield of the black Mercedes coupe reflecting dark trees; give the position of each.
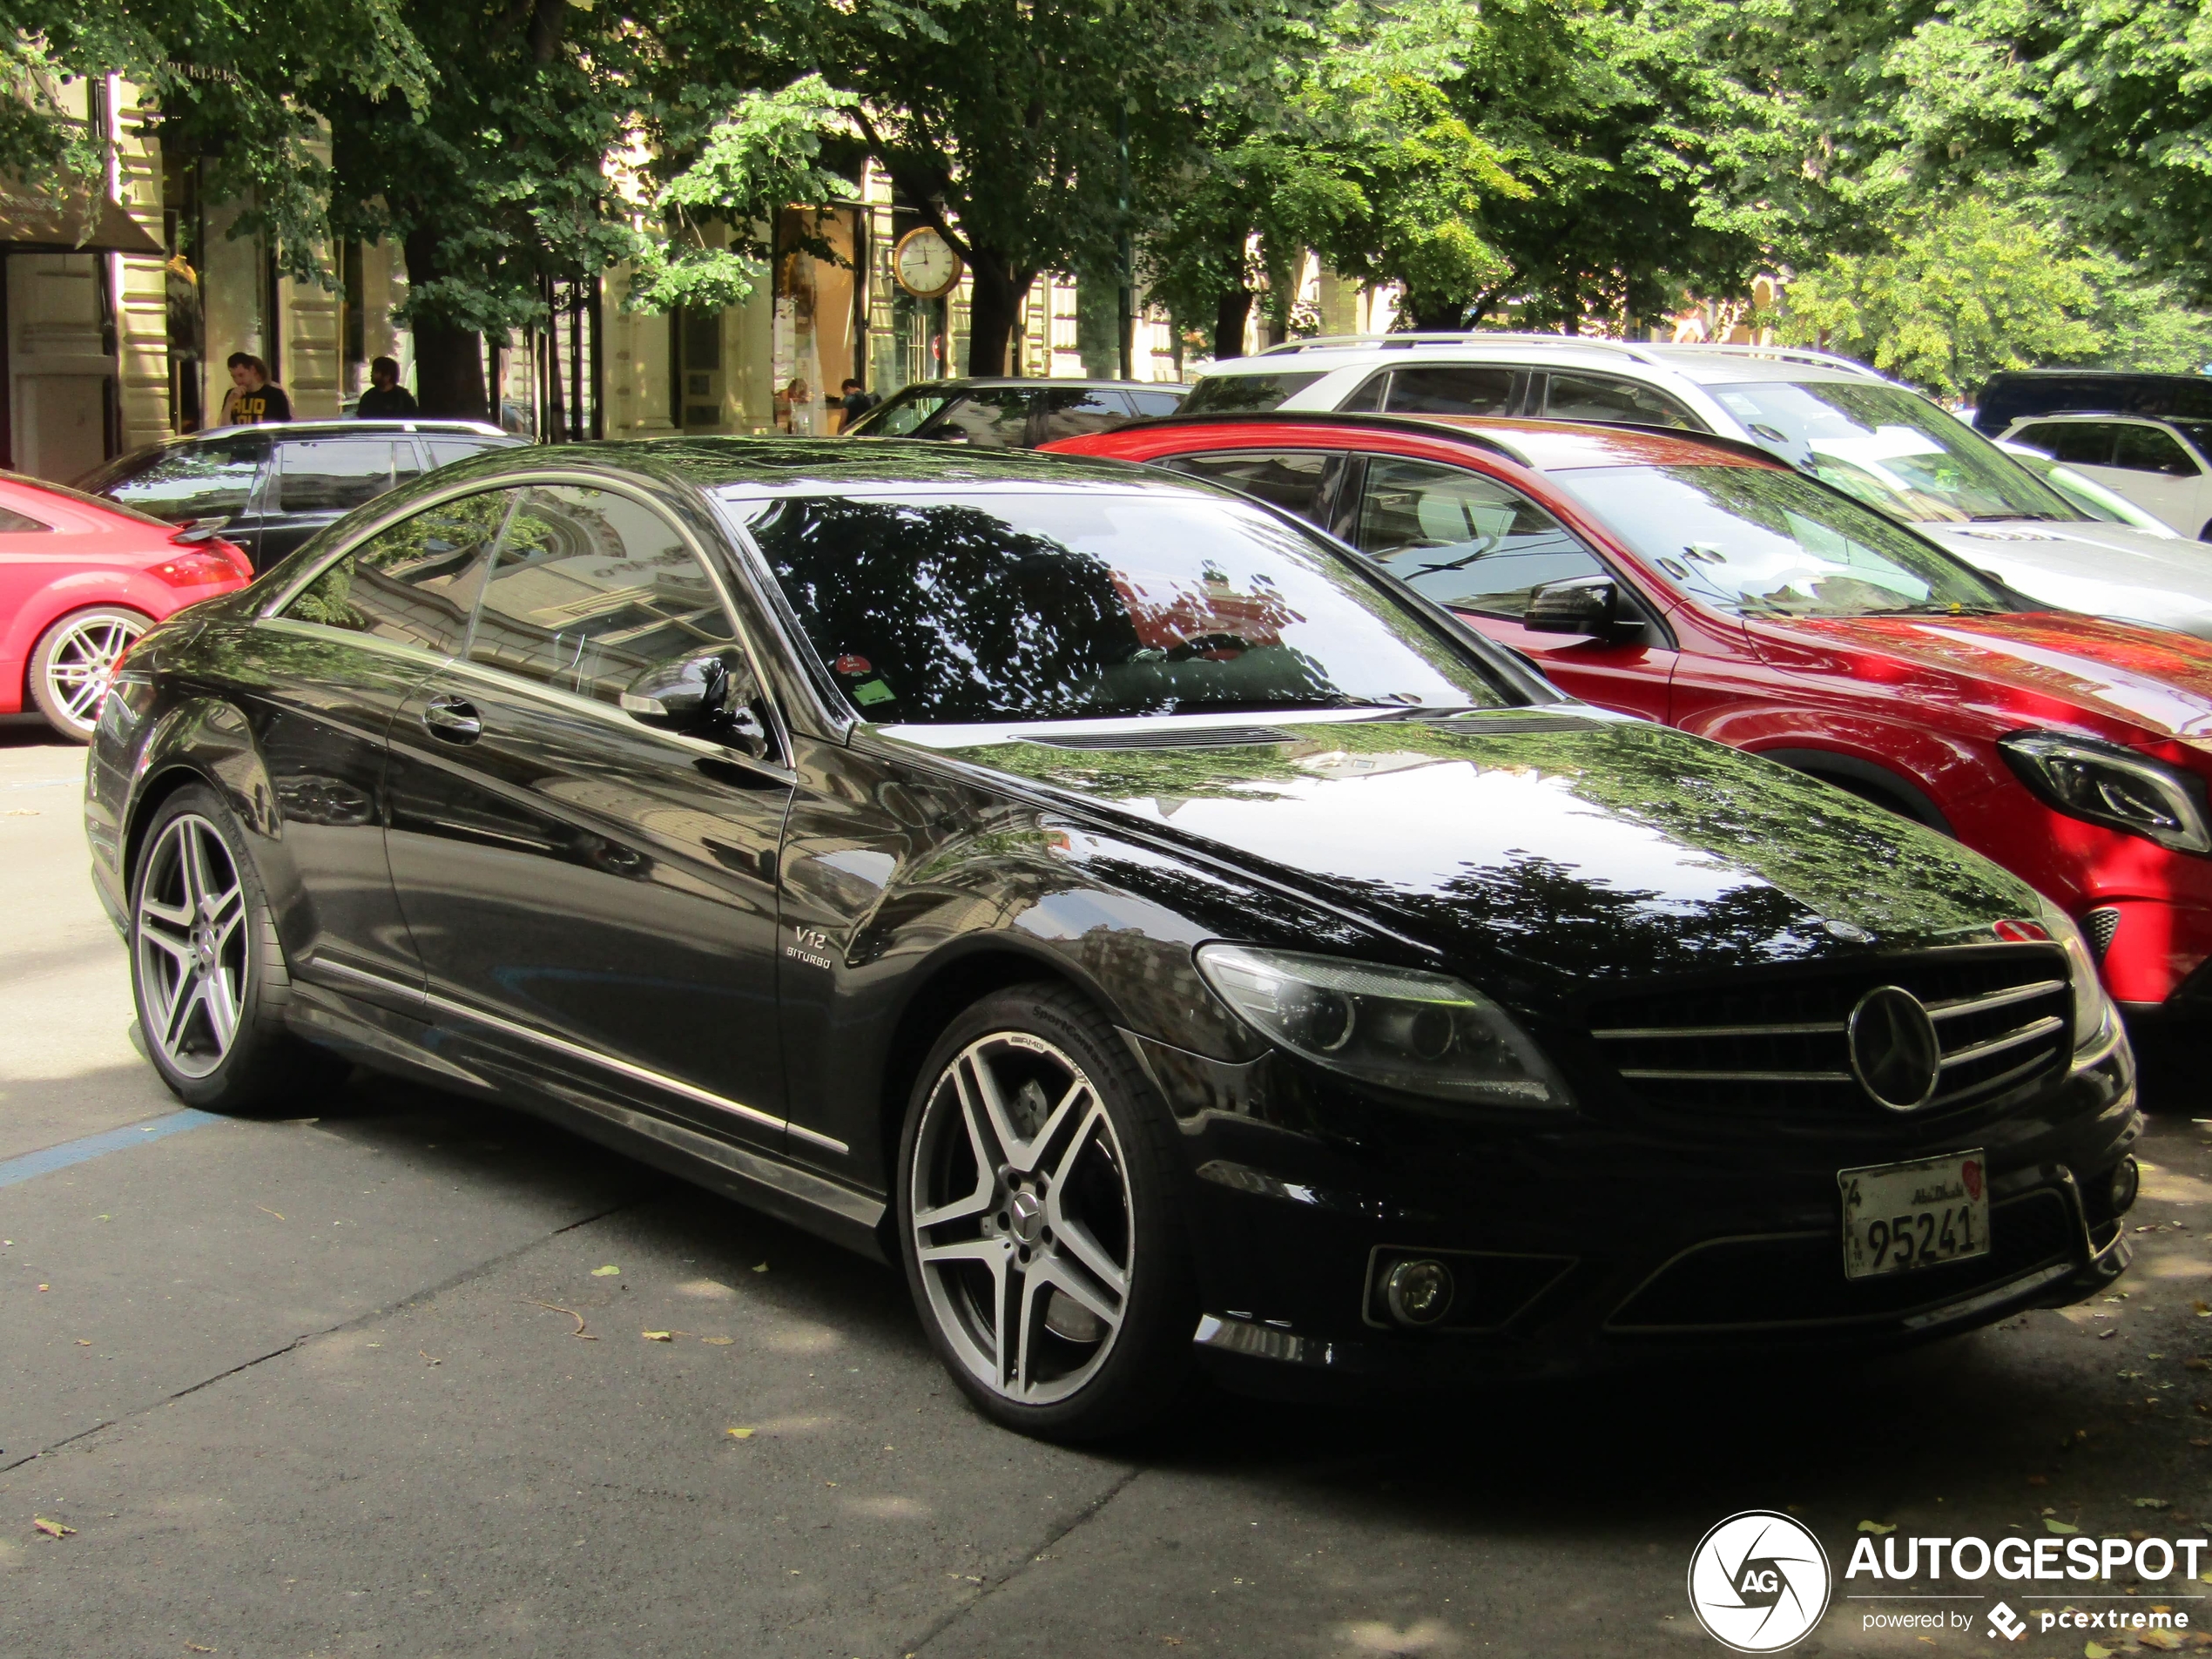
(1094, 603)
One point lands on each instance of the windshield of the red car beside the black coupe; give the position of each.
(1766, 543)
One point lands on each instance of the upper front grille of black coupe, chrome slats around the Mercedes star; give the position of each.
(1777, 1045)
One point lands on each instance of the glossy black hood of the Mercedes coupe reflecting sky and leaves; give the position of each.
(1541, 846)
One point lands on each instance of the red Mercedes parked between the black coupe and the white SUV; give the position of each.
(1711, 587)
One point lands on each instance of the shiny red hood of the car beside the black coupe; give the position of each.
(2041, 669)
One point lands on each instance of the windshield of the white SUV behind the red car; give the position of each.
(1890, 448)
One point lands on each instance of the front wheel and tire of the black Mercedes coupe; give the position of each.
(1072, 1238)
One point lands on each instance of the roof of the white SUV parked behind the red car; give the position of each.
(1700, 364)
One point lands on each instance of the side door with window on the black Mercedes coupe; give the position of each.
(570, 870)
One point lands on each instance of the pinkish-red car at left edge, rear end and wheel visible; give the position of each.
(79, 583)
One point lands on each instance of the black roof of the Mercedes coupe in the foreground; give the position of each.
(820, 466)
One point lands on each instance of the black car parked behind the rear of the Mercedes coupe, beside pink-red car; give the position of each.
(280, 486)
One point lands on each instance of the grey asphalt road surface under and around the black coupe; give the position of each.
(375, 1381)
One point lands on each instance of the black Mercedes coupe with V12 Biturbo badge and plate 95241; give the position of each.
(1162, 932)
